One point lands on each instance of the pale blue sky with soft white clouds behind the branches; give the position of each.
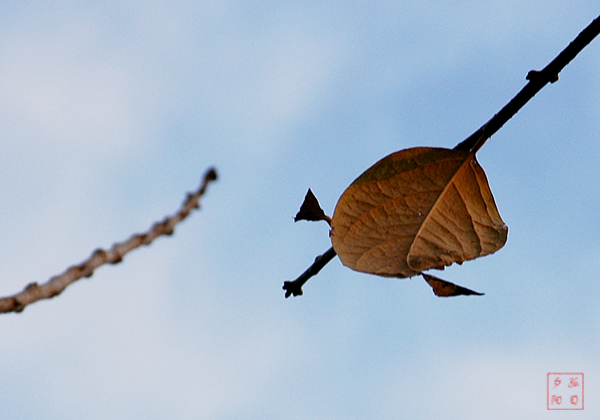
(110, 112)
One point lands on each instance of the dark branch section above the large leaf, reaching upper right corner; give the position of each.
(537, 80)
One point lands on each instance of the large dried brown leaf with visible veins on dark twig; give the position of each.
(414, 210)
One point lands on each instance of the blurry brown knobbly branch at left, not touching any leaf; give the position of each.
(34, 292)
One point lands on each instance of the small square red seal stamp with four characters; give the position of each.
(564, 391)
